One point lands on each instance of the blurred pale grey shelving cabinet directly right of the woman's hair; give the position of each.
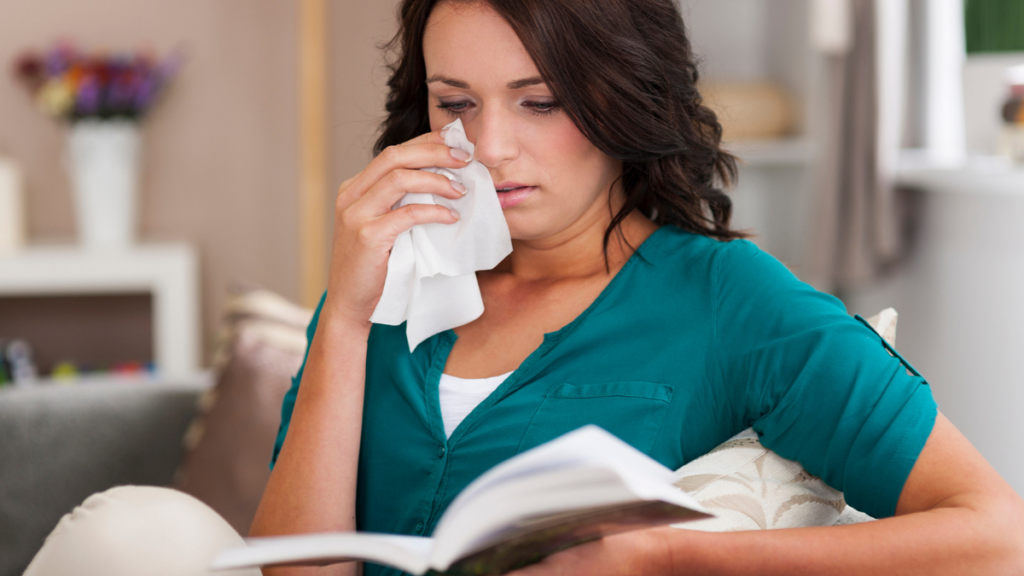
(767, 40)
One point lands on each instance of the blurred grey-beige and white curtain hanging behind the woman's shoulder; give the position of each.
(861, 220)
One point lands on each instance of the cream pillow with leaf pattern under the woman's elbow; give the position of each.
(750, 487)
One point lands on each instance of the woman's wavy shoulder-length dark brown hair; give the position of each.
(626, 74)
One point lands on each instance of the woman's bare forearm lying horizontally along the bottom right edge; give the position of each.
(946, 541)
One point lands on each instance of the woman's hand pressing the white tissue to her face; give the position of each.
(366, 227)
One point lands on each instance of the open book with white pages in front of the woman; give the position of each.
(577, 488)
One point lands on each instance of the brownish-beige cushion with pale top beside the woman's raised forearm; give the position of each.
(229, 446)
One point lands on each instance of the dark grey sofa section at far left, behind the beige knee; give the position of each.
(61, 444)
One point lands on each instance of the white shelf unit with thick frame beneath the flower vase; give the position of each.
(168, 272)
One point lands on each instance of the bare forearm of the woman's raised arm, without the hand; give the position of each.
(313, 487)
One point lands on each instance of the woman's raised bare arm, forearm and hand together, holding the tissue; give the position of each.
(314, 484)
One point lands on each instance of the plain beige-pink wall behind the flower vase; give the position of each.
(222, 156)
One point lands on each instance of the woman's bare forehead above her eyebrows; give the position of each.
(473, 43)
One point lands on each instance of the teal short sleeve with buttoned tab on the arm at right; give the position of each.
(817, 385)
